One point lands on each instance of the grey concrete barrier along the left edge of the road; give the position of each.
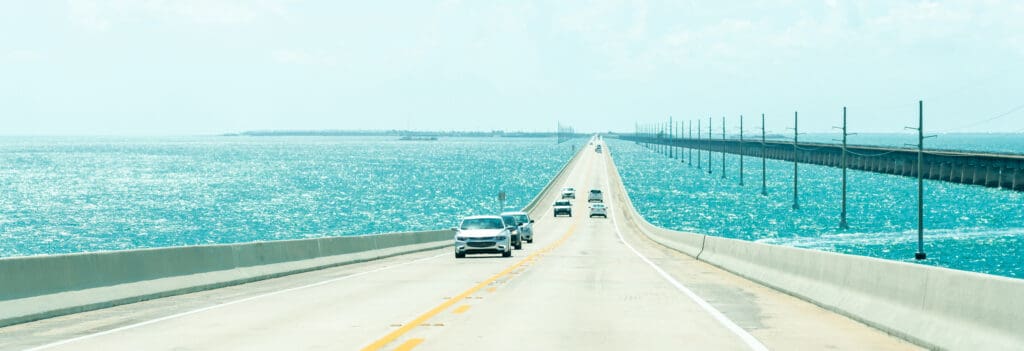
(44, 287)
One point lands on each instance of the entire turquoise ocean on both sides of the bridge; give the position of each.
(74, 195)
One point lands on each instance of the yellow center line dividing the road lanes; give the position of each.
(395, 335)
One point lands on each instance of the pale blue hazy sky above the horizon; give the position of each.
(210, 67)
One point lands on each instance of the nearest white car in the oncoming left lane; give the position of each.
(483, 235)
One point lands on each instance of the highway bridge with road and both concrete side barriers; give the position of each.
(585, 284)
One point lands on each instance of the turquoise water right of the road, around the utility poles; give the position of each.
(967, 228)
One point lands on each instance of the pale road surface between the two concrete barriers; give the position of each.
(585, 284)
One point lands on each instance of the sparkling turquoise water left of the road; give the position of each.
(86, 195)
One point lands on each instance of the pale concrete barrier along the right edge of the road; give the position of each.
(937, 309)
